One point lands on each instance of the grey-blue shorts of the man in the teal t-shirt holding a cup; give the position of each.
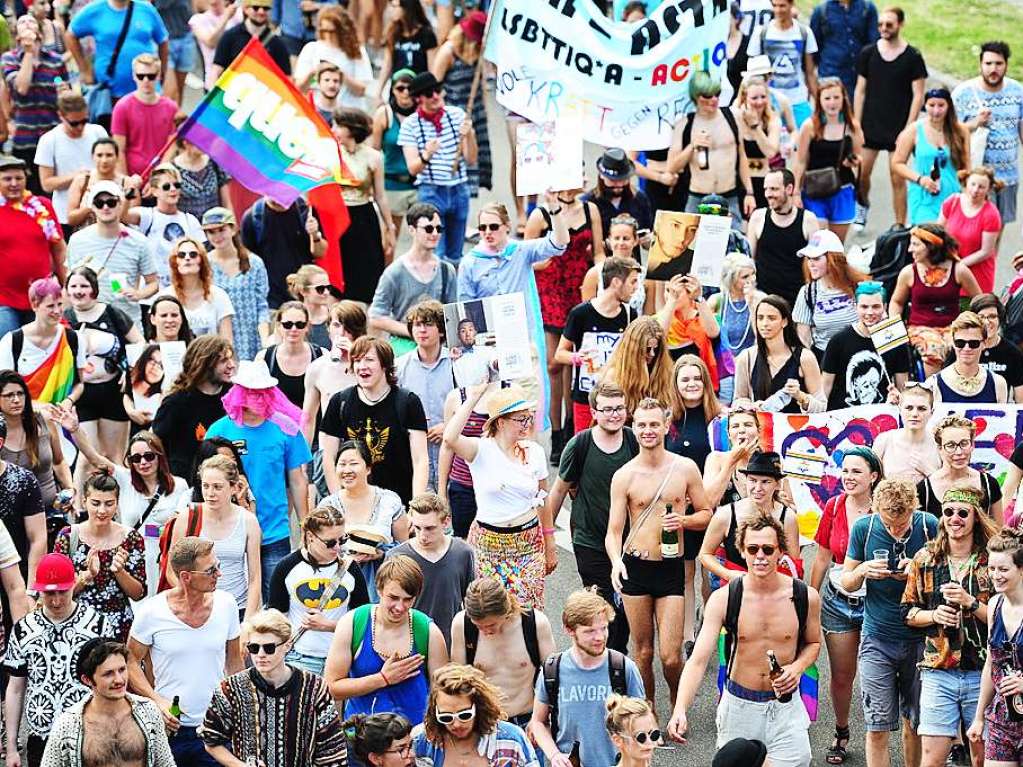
(889, 682)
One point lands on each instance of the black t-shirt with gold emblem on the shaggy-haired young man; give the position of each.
(385, 431)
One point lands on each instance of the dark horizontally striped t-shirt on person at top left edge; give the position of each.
(36, 112)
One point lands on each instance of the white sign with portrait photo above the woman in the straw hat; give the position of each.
(488, 338)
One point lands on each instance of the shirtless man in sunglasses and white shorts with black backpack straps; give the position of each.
(768, 622)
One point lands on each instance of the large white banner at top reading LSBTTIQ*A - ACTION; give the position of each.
(628, 84)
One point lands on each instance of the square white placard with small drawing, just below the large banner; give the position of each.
(548, 156)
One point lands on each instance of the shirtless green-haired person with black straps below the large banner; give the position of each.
(706, 143)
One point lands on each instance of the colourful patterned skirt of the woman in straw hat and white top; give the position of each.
(515, 558)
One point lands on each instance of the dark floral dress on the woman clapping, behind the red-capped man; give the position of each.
(105, 596)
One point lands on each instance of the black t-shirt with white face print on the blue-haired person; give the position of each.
(862, 376)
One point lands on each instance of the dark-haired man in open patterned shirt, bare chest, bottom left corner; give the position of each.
(110, 728)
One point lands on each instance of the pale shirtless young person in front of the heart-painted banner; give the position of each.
(910, 454)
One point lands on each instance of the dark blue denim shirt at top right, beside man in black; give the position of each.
(841, 33)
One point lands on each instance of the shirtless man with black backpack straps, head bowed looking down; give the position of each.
(495, 635)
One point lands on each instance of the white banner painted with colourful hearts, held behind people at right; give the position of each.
(829, 435)
